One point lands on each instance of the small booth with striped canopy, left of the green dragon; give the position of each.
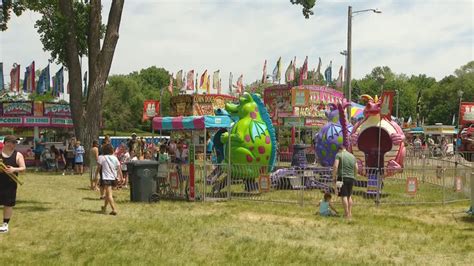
(192, 173)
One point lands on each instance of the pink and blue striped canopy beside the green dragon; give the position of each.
(191, 122)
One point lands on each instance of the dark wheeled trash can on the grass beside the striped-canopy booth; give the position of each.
(142, 175)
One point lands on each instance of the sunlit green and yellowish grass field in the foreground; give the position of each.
(57, 221)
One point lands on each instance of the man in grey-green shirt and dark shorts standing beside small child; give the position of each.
(345, 169)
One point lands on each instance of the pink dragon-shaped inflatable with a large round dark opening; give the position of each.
(365, 140)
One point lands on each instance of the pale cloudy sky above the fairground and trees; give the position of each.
(432, 37)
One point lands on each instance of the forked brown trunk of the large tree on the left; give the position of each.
(86, 117)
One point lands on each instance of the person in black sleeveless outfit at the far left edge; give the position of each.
(15, 163)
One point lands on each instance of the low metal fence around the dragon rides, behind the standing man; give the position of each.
(306, 185)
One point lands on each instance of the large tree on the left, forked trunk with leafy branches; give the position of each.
(69, 30)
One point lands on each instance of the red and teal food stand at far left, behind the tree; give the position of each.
(27, 118)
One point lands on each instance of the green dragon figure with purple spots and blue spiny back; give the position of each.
(252, 138)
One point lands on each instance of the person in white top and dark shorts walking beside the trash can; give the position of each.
(109, 165)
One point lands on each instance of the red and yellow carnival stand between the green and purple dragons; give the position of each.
(298, 113)
